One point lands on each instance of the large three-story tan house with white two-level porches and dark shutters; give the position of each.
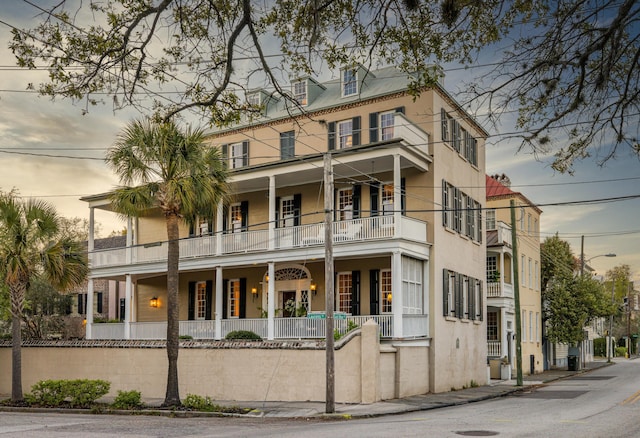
(409, 252)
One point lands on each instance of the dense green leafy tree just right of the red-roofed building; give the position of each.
(570, 300)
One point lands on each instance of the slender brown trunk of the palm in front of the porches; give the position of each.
(172, 397)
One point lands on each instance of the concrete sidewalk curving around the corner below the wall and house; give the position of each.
(497, 388)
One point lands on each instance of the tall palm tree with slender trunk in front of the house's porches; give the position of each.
(177, 172)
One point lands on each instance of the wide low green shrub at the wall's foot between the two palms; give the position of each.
(79, 393)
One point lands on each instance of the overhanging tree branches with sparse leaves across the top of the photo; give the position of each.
(569, 67)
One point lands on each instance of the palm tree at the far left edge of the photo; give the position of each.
(30, 246)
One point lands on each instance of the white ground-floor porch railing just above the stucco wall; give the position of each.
(414, 326)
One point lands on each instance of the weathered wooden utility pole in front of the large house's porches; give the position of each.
(329, 284)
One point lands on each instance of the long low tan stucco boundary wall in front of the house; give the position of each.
(251, 374)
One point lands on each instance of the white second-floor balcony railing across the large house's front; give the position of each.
(344, 232)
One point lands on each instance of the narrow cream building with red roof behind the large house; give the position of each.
(501, 318)
